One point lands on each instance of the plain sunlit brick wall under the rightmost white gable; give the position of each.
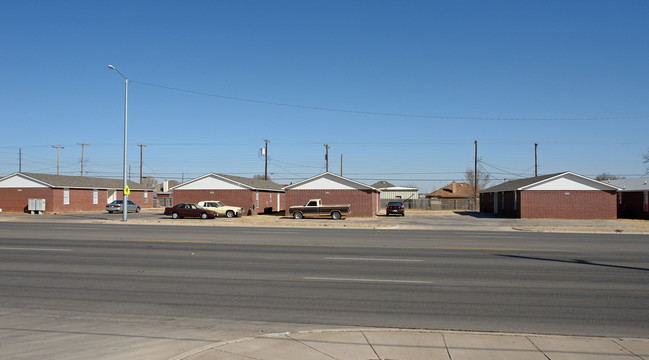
(568, 204)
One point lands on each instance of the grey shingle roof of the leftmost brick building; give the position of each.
(78, 182)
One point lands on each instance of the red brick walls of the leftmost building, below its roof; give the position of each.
(16, 199)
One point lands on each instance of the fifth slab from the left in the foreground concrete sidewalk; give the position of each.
(574, 348)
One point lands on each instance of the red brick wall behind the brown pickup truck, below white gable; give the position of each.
(363, 203)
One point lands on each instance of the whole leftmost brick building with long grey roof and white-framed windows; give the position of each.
(63, 193)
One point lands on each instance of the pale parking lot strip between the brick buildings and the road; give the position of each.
(414, 219)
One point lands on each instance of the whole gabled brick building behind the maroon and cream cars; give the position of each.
(253, 195)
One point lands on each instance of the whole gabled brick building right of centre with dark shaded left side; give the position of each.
(560, 196)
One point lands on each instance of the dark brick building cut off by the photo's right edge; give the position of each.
(633, 198)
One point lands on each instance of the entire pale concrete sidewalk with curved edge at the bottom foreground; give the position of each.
(393, 344)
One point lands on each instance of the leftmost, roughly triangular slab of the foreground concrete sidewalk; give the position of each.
(268, 348)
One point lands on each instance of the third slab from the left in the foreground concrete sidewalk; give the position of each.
(412, 345)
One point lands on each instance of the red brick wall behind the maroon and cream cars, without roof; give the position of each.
(247, 199)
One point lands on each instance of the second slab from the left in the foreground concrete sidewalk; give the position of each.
(340, 345)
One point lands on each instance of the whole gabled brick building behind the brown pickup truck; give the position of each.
(335, 190)
